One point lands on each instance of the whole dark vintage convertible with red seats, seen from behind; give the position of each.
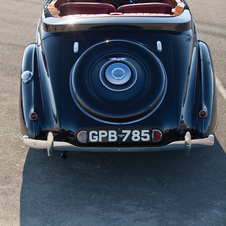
(117, 75)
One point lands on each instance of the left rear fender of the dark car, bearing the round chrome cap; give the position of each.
(28, 92)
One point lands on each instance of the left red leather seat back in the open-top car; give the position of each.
(70, 8)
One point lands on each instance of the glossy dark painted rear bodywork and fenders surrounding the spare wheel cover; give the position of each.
(185, 60)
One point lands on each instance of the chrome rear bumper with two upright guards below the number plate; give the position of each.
(51, 145)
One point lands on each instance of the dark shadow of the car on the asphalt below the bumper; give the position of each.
(154, 188)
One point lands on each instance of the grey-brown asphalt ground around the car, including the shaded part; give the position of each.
(154, 189)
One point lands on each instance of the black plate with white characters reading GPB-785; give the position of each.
(119, 135)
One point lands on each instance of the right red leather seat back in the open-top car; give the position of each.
(152, 7)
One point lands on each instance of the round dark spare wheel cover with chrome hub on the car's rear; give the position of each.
(118, 82)
